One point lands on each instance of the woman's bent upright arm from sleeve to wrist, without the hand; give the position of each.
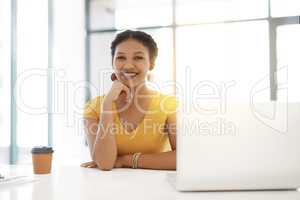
(100, 138)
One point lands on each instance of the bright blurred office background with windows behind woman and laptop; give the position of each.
(55, 55)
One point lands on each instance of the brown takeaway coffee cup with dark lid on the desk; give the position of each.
(42, 159)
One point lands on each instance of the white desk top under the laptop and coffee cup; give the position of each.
(74, 183)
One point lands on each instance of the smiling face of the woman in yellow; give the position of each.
(131, 62)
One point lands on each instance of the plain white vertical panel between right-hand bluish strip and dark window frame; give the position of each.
(68, 85)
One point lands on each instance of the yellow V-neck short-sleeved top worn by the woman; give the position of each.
(149, 136)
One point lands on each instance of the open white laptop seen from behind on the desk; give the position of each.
(245, 146)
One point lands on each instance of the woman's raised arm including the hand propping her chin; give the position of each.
(101, 140)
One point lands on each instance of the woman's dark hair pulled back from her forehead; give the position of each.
(141, 37)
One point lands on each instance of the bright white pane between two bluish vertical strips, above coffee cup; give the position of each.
(32, 64)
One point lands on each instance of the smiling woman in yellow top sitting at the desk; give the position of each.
(132, 125)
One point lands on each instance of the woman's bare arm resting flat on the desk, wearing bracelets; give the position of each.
(165, 160)
